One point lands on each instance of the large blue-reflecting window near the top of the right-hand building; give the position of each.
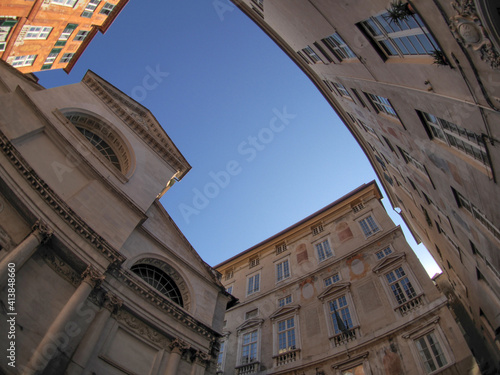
(404, 38)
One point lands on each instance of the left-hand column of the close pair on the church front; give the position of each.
(56, 338)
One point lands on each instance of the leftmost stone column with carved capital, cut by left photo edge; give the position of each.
(22, 252)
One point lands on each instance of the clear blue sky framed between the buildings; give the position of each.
(265, 147)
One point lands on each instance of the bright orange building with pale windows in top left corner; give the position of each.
(51, 34)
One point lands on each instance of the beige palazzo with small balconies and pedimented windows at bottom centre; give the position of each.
(340, 292)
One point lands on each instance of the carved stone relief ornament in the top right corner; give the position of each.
(468, 30)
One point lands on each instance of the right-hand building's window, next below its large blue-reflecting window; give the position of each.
(457, 137)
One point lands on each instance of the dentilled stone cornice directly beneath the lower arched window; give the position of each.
(163, 303)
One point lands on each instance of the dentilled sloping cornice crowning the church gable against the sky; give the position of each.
(140, 120)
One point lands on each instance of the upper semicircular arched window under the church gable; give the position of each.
(103, 138)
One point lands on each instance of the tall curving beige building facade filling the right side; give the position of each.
(418, 85)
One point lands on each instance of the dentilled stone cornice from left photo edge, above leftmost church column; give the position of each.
(56, 203)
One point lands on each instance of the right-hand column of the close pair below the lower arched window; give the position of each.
(82, 355)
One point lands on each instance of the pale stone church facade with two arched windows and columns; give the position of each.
(95, 276)
